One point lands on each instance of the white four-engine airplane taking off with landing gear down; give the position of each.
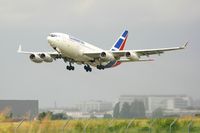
(73, 50)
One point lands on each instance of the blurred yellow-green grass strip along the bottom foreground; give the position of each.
(102, 126)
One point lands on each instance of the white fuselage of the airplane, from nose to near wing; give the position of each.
(73, 48)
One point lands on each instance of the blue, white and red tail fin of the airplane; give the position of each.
(121, 42)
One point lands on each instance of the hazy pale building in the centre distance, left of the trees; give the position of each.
(95, 106)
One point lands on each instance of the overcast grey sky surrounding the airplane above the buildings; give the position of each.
(151, 24)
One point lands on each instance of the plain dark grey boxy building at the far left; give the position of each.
(19, 109)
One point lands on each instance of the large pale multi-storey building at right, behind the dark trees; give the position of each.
(153, 102)
